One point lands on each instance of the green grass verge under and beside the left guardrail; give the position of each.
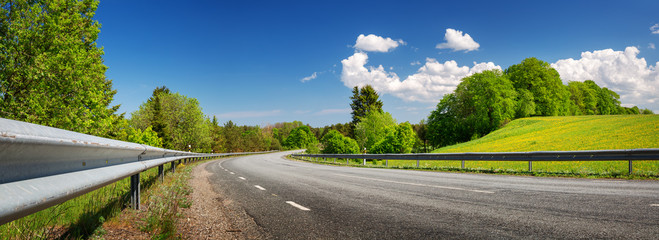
(84, 216)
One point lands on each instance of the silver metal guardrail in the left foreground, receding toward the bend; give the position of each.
(43, 166)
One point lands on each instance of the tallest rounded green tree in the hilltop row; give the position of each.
(543, 82)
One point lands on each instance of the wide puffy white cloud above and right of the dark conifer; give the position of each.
(429, 84)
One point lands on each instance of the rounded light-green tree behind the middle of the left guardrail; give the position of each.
(180, 118)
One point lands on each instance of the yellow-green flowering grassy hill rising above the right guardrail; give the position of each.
(568, 133)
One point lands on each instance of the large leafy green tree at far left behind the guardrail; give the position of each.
(51, 71)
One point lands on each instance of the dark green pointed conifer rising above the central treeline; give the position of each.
(364, 100)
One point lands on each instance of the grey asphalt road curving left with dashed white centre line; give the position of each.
(300, 200)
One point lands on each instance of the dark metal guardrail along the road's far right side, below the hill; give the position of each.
(595, 155)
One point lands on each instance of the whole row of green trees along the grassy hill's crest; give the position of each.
(485, 101)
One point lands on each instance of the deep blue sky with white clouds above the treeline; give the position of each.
(245, 60)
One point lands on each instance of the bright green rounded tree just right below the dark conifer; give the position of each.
(373, 127)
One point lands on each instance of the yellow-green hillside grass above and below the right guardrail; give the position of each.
(553, 134)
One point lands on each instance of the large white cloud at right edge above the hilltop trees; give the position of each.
(623, 72)
